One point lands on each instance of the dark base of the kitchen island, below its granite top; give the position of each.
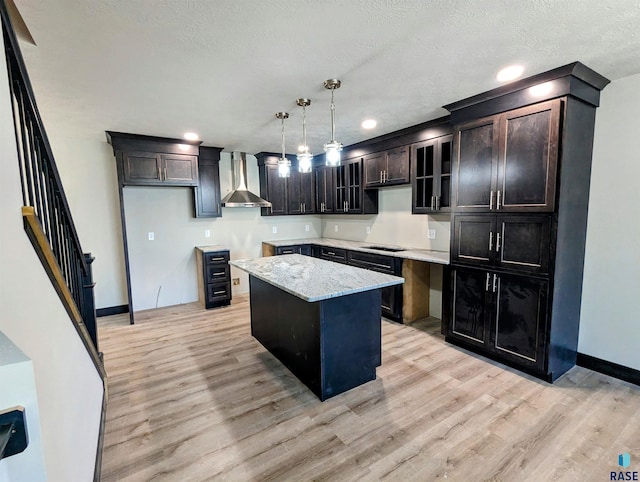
(331, 345)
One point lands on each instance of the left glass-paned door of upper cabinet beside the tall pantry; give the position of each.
(423, 173)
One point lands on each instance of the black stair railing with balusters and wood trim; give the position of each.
(46, 212)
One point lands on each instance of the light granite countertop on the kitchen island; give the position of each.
(314, 279)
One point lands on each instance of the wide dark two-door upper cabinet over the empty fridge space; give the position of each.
(154, 161)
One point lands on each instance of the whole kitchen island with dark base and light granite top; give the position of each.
(320, 319)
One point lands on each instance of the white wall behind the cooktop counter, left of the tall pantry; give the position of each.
(394, 224)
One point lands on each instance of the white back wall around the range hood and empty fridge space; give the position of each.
(163, 271)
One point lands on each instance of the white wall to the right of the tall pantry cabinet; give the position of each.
(609, 326)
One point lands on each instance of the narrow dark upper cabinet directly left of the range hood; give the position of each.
(207, 193)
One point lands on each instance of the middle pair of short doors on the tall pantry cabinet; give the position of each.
(507, 241)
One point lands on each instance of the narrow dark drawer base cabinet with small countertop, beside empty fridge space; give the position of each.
(214, 276)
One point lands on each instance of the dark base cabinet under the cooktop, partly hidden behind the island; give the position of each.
(392, 296)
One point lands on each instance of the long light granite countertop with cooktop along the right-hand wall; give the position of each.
(430, 256)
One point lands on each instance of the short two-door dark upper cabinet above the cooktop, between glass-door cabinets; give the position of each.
(387, 168)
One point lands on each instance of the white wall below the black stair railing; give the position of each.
(68, 387)
